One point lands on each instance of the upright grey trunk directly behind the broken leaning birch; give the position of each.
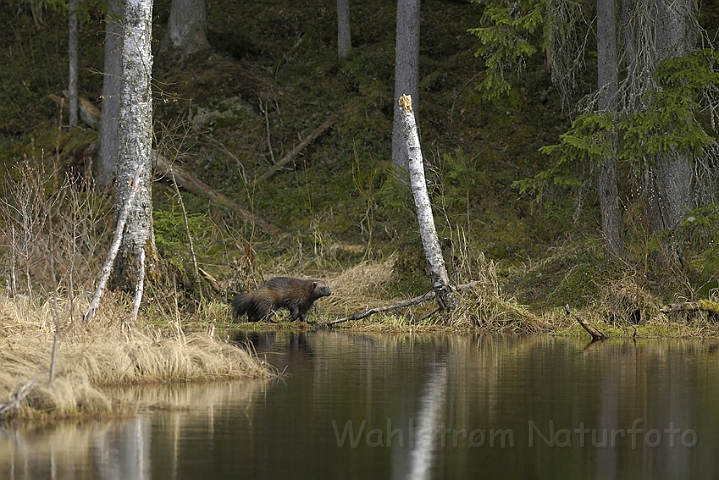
(406, 73)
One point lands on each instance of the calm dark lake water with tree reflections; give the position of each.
(355, 406)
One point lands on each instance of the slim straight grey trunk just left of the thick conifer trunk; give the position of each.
(608, 84)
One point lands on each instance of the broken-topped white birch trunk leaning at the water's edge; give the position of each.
(430, 242)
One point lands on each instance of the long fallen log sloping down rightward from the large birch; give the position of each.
(192, 184)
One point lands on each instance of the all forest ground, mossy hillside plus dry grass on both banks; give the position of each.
(337, 210)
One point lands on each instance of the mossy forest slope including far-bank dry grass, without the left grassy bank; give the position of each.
(339, 210)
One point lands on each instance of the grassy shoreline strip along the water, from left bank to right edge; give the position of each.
(93, 359)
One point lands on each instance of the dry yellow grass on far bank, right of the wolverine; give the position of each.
(486, 308)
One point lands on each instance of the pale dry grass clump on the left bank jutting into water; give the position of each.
(100, 354)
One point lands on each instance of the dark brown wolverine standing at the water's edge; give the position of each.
(294, 294)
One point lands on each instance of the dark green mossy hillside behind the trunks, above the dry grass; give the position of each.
(271, 76)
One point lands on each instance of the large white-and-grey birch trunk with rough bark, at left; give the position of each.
(135, 144)
